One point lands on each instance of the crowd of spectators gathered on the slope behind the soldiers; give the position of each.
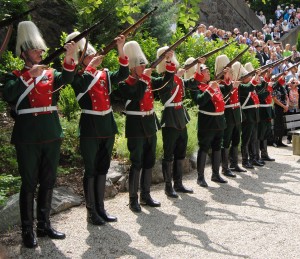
(265, 43)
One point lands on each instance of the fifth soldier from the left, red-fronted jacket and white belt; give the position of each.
(211, 125)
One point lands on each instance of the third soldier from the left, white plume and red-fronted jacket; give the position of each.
(141, 124)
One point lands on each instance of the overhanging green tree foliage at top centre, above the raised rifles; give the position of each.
(123, 13)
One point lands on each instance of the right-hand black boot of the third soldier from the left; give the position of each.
(145, 184)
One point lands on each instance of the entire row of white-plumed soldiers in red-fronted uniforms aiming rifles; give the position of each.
(229, 108)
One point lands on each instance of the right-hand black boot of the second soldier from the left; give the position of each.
(99, 193)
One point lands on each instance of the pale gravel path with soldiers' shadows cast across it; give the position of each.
(256, 215)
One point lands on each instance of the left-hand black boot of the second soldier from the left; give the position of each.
(90, 203)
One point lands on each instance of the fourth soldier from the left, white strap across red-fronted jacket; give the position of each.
(173, 122)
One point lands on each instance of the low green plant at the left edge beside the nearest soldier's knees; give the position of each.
(8, 185)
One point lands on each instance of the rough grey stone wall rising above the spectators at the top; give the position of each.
(229, 14)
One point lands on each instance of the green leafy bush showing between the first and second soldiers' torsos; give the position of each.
(68, 104)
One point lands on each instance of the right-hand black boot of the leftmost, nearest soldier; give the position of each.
(43, 208)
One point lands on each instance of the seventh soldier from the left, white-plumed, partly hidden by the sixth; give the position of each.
(250, 113)
